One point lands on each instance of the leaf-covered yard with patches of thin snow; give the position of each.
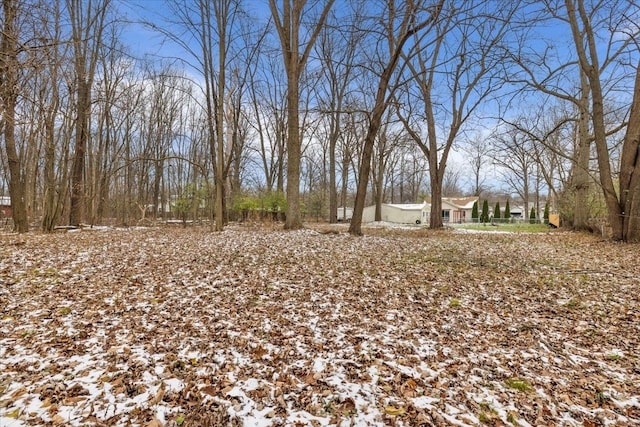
(256, 326)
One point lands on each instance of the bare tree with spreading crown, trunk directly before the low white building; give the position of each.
(452, 80)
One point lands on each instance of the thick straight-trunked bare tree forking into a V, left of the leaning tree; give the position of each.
(288, 22)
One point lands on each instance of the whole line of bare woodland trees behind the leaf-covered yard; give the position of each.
(320, 104)
